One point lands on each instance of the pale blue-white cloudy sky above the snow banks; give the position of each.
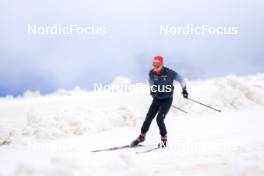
(132, 37)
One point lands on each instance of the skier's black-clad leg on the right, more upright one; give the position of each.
(164, 109)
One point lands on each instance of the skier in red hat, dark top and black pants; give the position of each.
(161, 89)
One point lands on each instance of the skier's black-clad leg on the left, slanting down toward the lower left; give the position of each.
(153, 109)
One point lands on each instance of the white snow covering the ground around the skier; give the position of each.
(53, 134)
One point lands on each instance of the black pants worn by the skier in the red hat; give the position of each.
(161, 107)
